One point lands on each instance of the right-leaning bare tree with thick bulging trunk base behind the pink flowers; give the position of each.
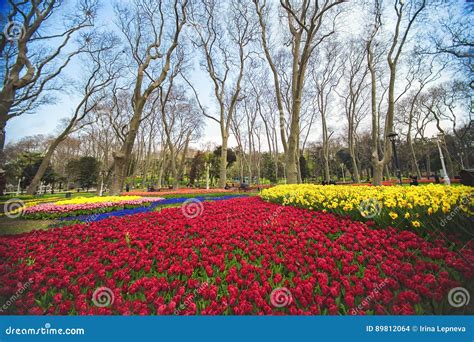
(145, 27)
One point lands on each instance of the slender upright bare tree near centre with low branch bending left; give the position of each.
(224, 47)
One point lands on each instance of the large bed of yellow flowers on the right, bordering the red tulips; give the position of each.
(405, 206)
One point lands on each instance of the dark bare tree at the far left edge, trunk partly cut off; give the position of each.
(32, 56)
